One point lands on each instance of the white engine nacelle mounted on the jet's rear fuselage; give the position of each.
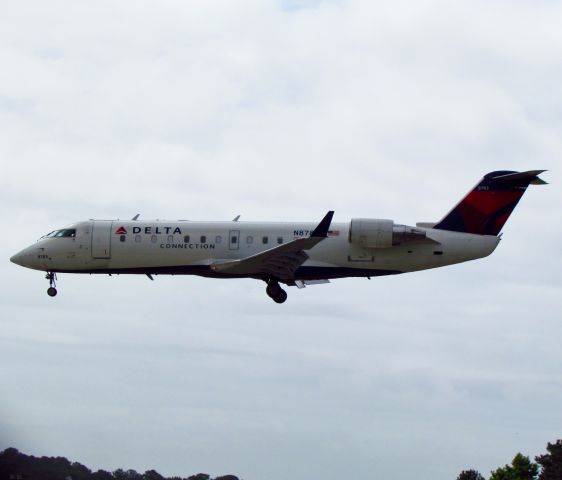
(381, 233)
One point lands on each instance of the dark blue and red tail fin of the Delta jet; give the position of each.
(487, 207)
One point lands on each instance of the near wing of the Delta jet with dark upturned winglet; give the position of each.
(279, 262)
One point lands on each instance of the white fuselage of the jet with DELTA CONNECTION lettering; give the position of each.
(186, 247)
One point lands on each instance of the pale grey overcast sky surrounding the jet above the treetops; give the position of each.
(281, 110)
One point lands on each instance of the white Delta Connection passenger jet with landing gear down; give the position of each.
(295, 254)
